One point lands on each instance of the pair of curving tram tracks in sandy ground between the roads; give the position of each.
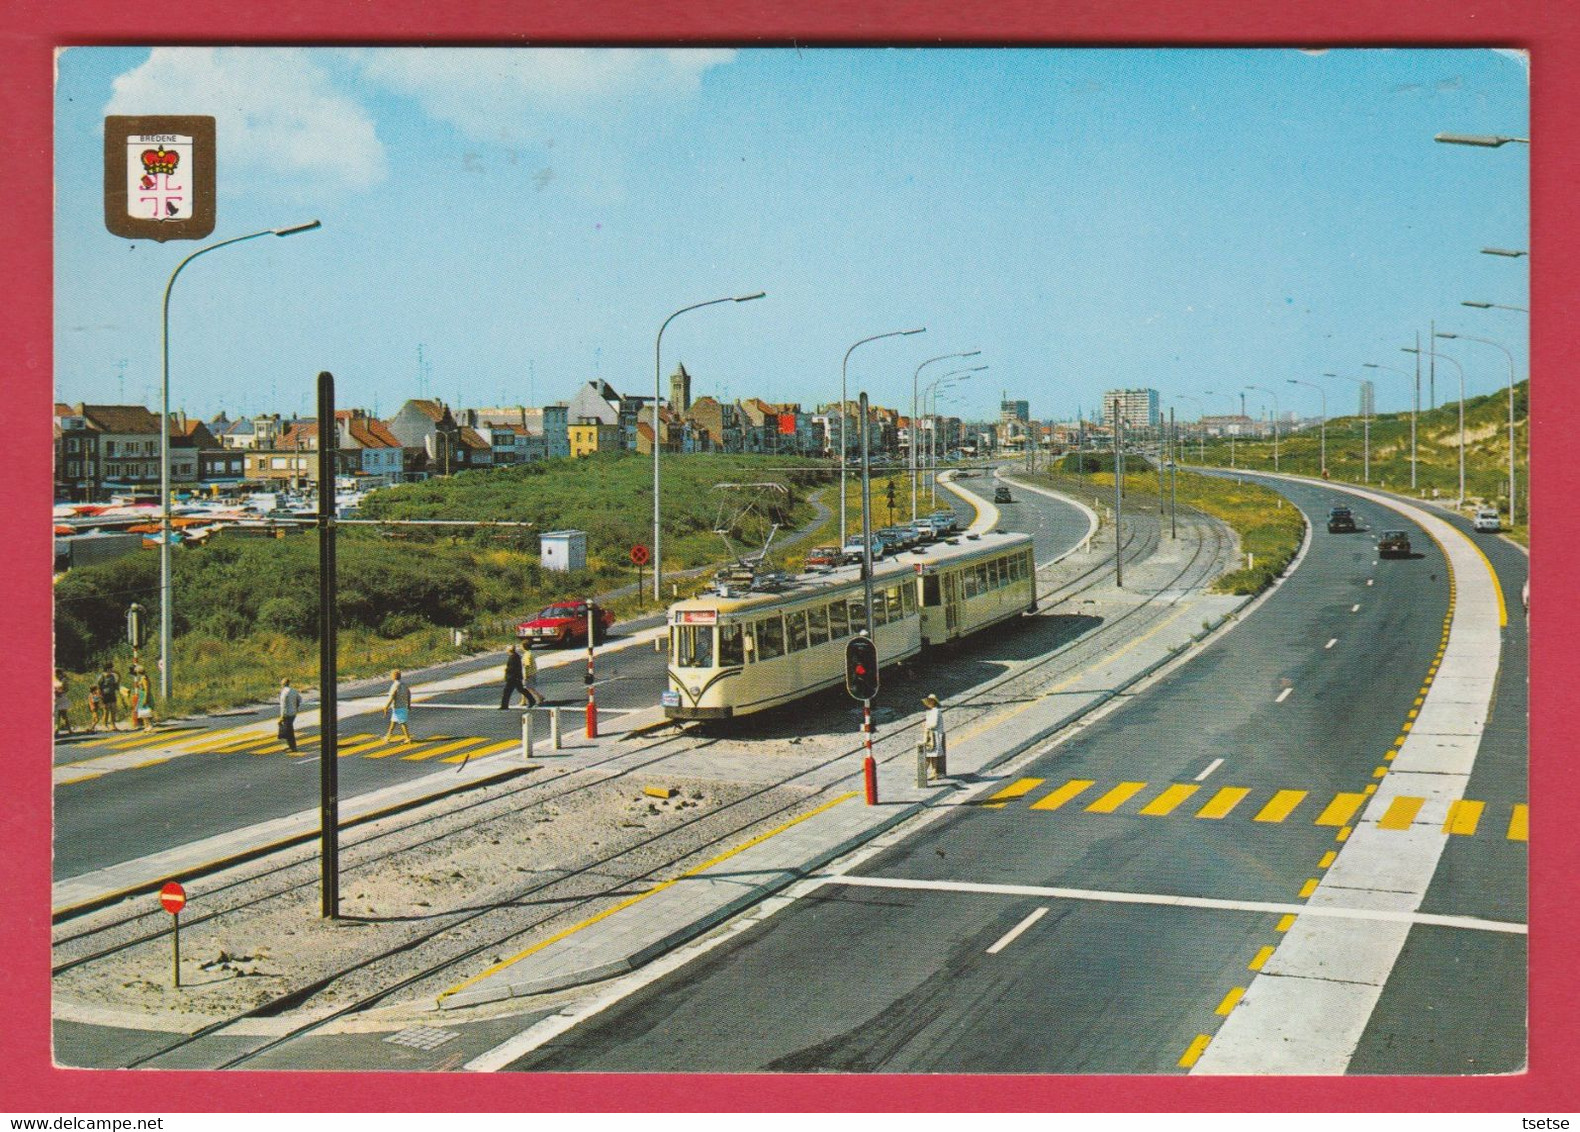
(450, 940)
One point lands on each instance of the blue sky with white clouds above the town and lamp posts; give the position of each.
(1189, 221)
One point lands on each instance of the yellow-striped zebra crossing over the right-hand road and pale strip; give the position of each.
(1465, 817)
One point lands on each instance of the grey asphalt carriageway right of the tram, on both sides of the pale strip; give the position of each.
(1227, 782)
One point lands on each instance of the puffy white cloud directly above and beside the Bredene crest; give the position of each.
(277, 115)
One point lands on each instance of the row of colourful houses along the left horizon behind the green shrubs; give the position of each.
(115, 450)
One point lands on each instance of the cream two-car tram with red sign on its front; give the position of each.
(753, 644)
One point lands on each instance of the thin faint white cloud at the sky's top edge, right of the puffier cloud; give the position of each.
(486, 92)
